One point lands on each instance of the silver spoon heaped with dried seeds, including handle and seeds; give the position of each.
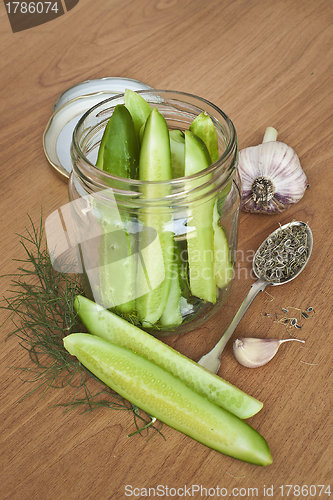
(279, 259)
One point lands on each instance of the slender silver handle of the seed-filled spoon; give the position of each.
(212, 360)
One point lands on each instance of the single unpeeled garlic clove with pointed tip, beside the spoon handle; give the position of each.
(252, 352)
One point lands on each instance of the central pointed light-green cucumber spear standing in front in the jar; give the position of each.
(156, 241)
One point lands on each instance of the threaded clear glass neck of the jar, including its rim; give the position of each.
(179, 110)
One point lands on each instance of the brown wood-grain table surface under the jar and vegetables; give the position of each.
(264, 63)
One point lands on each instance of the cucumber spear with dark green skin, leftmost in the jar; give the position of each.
(119, 155)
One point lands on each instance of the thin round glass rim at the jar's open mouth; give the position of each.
(93, 171)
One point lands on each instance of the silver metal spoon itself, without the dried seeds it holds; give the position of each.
(212, 360)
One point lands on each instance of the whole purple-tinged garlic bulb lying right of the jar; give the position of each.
(272, 176)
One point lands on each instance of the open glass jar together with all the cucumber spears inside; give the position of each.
(155, 201)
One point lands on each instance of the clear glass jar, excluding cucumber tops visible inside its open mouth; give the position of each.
(160, 254)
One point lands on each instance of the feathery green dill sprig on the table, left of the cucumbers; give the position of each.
(40, 303)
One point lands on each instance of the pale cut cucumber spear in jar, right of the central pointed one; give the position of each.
(200, 239)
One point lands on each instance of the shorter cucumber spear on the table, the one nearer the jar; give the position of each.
(111, 327)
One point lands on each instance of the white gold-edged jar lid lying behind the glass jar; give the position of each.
(69, 108)
